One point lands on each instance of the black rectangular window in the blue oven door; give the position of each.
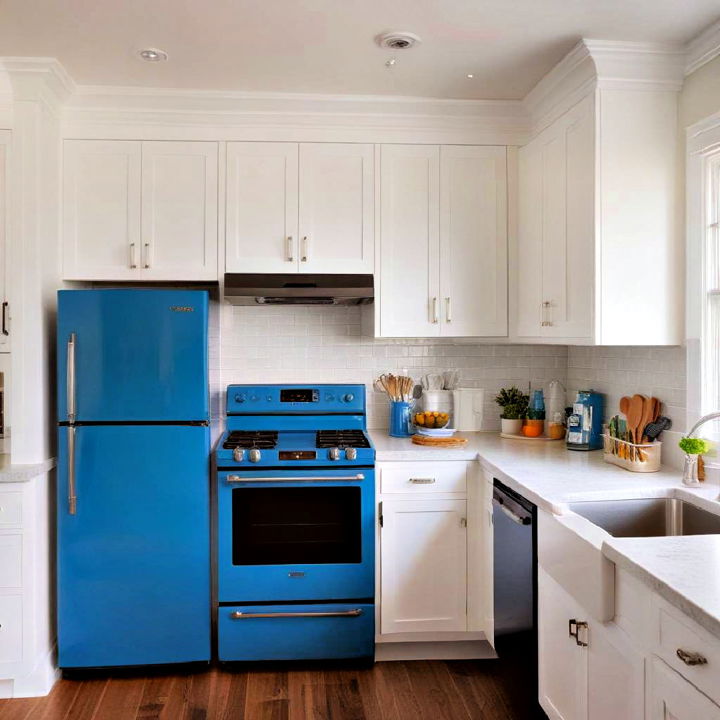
(296, 526)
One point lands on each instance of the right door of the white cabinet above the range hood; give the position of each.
(337, 212)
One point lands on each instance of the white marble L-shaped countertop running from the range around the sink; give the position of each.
(683, 570)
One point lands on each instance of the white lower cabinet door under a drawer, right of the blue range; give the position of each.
(423, 566)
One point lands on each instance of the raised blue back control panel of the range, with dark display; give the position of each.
(295, 399)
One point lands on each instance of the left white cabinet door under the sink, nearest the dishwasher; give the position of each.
(562, 663)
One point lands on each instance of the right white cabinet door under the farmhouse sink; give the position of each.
(616, 675)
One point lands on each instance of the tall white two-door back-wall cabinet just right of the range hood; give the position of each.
(443, 241)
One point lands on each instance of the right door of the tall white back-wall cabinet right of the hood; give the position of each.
(473, 240)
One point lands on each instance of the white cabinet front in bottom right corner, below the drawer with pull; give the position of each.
(674, 698)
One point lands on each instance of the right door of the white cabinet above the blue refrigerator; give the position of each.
(179, 210)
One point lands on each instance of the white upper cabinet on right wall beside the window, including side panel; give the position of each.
(597, 240)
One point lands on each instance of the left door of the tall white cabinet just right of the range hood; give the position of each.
(409, 241)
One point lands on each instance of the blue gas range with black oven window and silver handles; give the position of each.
(296, 524)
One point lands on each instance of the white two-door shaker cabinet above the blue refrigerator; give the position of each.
(140, 210)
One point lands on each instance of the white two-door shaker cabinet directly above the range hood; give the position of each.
(300, 208)
